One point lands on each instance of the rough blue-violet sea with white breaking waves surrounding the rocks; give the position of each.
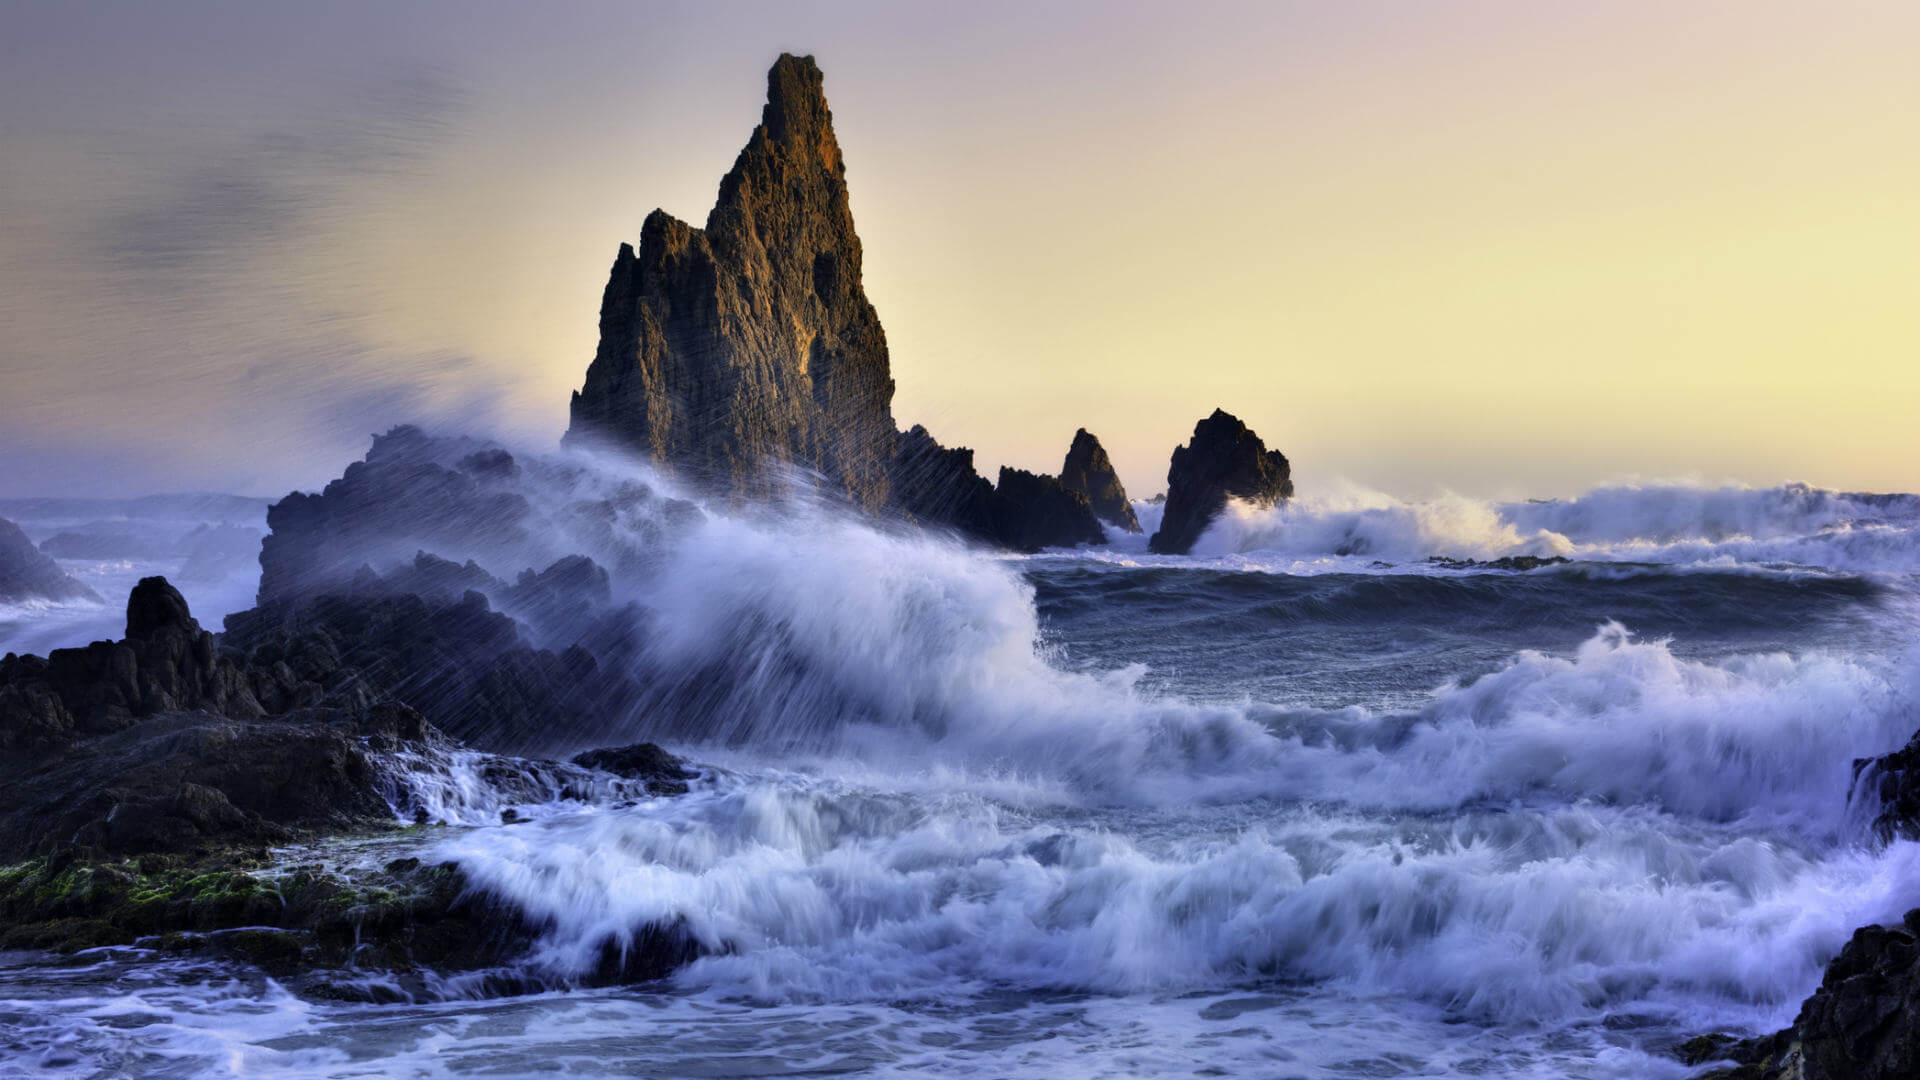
(1301, 804)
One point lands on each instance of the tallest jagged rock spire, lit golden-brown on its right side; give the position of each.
(750, 343)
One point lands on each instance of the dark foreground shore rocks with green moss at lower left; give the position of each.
(153, 789)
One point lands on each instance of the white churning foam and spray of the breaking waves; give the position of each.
(928, 825)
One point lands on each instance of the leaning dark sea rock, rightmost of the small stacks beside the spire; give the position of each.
(1224, 460)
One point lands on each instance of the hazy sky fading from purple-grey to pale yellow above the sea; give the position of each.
(1495, 249)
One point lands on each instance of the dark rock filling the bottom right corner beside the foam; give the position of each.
(1861, 1025)
